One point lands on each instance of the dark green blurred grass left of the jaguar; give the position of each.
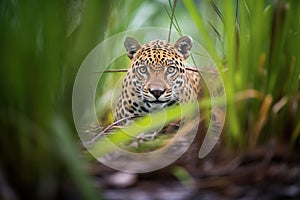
(42, 47)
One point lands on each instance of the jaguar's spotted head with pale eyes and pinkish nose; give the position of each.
(158, 71)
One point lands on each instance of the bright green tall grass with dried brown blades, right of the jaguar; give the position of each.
(260, 61)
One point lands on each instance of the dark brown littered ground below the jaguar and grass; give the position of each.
(268, 172)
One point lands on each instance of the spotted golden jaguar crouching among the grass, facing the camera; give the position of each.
(158, 77)
